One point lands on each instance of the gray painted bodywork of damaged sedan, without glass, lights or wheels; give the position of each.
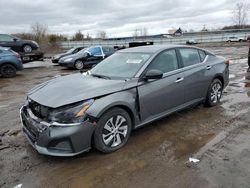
(145, 100)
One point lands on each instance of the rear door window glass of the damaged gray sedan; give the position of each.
(190, 56)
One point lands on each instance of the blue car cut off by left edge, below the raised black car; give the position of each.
(10, 62)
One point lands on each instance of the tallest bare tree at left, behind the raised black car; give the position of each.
(39, 31)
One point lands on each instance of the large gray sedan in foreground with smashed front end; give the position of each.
(129, 89)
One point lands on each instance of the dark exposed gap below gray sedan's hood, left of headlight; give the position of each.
(39, 110)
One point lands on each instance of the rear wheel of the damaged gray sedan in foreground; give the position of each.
(214, 93)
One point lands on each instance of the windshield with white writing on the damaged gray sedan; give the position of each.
(121, 65)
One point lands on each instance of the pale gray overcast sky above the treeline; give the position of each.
(116, 17)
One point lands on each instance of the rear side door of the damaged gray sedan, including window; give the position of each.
(196, 72)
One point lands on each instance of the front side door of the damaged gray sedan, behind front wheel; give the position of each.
(157, 97)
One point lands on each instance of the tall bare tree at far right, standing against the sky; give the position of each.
(240, 14)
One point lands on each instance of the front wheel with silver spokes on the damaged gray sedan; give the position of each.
(107, 137)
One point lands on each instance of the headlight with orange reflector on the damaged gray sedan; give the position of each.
(70, 114)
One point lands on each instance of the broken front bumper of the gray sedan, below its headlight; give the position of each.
(54, 140)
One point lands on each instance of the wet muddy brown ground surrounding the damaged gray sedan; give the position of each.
(155, 155)
